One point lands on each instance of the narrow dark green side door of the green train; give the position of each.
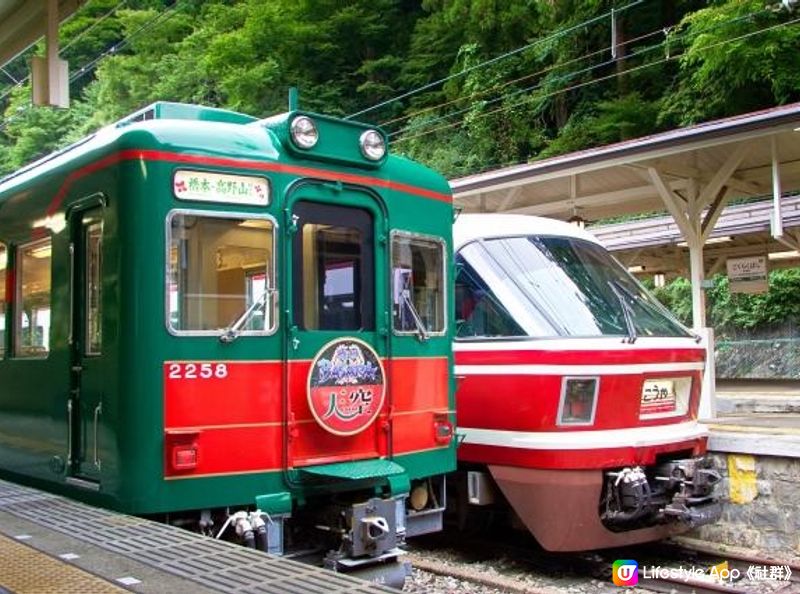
(86, 395)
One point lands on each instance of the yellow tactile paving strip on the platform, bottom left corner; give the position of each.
(24, 570)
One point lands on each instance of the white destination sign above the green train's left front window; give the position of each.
(221, 187)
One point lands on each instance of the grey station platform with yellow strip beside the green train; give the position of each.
(50, 544)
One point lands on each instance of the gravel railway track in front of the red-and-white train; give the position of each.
(517, 565)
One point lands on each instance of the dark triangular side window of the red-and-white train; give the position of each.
(478, 311)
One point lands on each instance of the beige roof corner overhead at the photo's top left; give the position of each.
(23, 22)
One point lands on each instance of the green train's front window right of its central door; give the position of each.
(418, 284)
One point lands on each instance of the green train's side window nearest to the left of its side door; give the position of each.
(32, 320)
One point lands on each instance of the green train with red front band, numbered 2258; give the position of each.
(235, 324)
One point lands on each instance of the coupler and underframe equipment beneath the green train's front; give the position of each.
(358, 533)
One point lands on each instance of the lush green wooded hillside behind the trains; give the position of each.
(481, 82)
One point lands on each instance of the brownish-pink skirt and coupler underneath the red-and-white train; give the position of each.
(576, 510)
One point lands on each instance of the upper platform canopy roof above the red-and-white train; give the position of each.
(615, 180)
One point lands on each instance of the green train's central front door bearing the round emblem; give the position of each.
(337, 388)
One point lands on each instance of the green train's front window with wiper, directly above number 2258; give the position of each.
(221, 274)
